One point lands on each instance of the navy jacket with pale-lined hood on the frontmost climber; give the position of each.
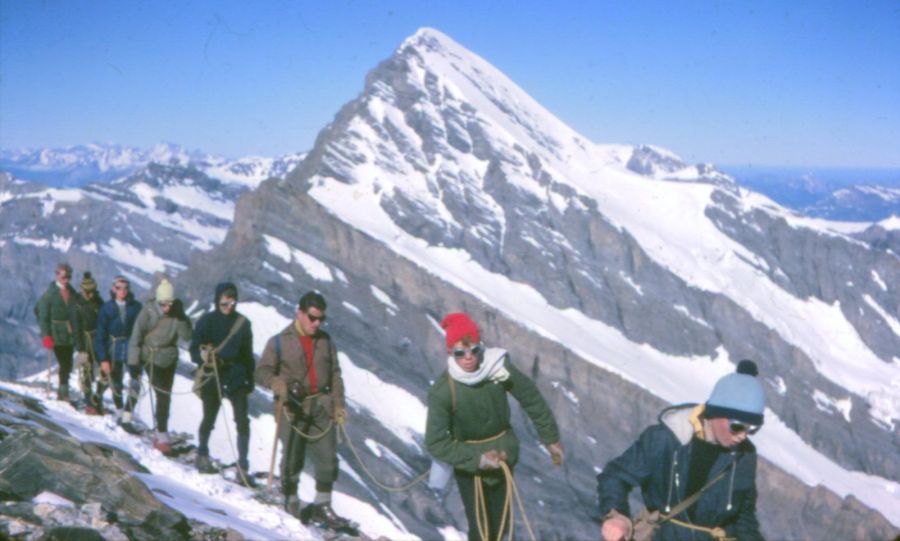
(658, 463)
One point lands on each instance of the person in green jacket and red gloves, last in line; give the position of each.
(60, 325)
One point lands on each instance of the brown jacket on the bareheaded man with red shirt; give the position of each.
(292, 365)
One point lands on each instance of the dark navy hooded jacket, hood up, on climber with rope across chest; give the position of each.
(236, 362)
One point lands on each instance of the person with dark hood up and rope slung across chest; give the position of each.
(222, 347)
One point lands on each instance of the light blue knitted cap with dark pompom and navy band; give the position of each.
(738, 396)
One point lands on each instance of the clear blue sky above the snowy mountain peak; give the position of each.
(734, 83)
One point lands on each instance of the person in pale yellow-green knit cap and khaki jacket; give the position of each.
(153, 347)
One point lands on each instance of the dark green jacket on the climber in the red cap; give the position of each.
(480, 412)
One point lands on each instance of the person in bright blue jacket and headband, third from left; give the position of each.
(115, 323)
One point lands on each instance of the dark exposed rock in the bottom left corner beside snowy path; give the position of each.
(37, 456)
